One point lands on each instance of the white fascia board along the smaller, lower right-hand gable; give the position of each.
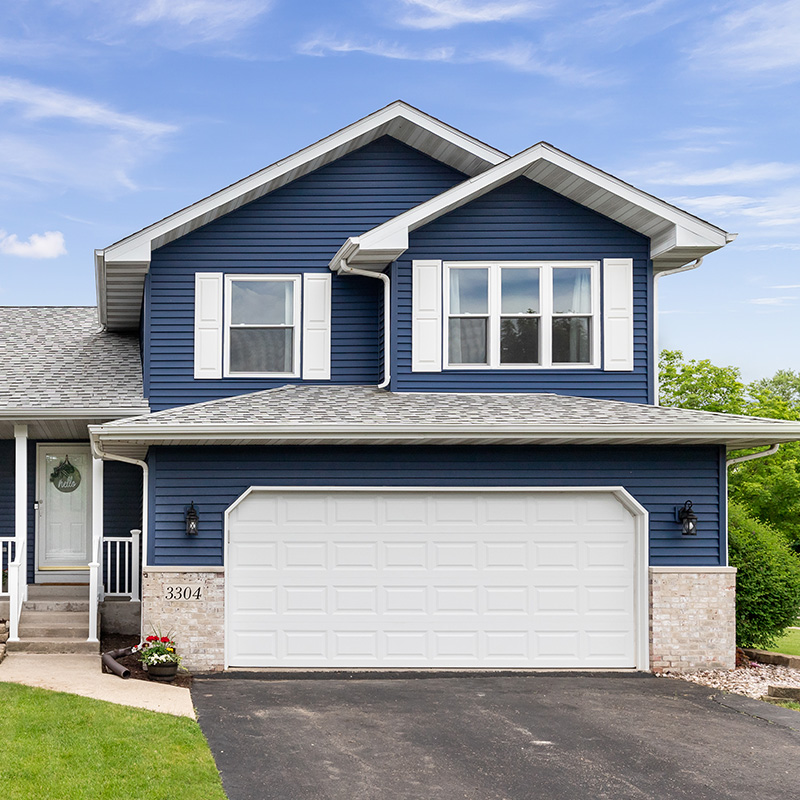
(678, 231)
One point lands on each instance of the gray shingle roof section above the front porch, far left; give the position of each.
(60, 358)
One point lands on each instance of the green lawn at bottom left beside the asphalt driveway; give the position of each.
(62, 746)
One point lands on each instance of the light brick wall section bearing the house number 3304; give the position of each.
(197, 625)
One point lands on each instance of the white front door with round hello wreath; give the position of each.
(64, 499)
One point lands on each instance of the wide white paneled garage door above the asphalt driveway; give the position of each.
(481, 579)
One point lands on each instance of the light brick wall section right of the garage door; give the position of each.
(692, 618)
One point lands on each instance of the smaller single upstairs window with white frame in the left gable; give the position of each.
(262, 319)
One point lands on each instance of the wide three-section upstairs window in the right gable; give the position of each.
(522, 314)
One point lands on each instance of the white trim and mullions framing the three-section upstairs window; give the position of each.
(545, 313)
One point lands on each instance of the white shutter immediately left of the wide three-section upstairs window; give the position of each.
(426, 316)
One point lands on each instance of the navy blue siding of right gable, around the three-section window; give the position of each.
(518, 222)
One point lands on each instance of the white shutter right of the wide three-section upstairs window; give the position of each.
(618, 314)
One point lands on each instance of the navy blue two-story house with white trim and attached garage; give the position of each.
(395, 408)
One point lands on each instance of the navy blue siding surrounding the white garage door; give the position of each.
(660, 478)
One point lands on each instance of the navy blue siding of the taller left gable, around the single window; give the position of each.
(295, 229)
